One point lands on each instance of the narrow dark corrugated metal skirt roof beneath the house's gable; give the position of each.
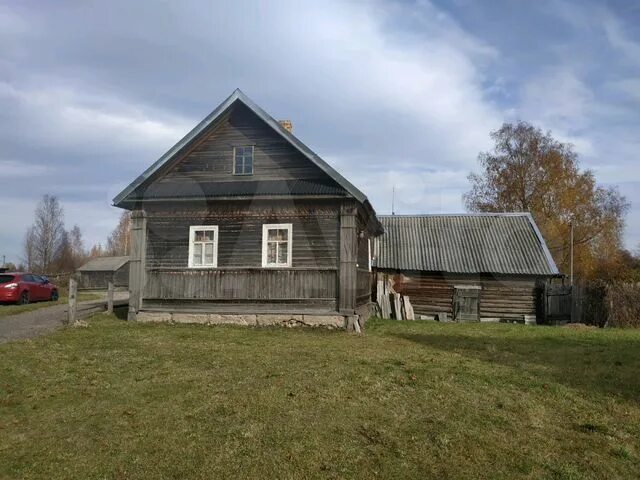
(239, 188)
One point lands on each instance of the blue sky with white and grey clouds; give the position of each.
(390, 93)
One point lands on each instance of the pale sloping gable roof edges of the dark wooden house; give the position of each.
(193, 135)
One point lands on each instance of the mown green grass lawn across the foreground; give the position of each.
(404, 400)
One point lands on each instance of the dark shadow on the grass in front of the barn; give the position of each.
(608, 366)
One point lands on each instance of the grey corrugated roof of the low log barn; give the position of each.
(504, 243)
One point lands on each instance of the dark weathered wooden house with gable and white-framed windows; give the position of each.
(241, 222)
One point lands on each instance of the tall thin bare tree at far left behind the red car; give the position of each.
(45, 238)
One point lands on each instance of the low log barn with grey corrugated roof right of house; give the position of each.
(468, 267)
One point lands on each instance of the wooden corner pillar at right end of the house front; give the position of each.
(348, 259)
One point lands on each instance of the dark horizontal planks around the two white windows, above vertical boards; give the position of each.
(315, 232)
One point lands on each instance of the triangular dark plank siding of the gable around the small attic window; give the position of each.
(212, 159)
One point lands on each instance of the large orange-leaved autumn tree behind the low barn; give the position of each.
(530, 171)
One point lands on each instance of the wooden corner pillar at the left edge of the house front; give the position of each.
(137, 262)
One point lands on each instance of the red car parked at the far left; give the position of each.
(23, 288)
